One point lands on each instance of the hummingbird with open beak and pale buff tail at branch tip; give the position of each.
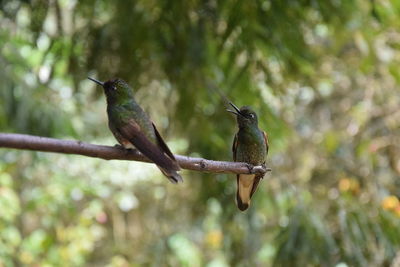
(251, 146)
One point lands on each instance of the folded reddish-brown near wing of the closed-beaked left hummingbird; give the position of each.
(132, 131)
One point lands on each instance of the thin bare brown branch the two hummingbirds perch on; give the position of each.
(45, 144)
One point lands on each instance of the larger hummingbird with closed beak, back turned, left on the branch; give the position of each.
(132, 127)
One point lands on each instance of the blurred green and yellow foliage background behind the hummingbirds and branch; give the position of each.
(323, 76)
